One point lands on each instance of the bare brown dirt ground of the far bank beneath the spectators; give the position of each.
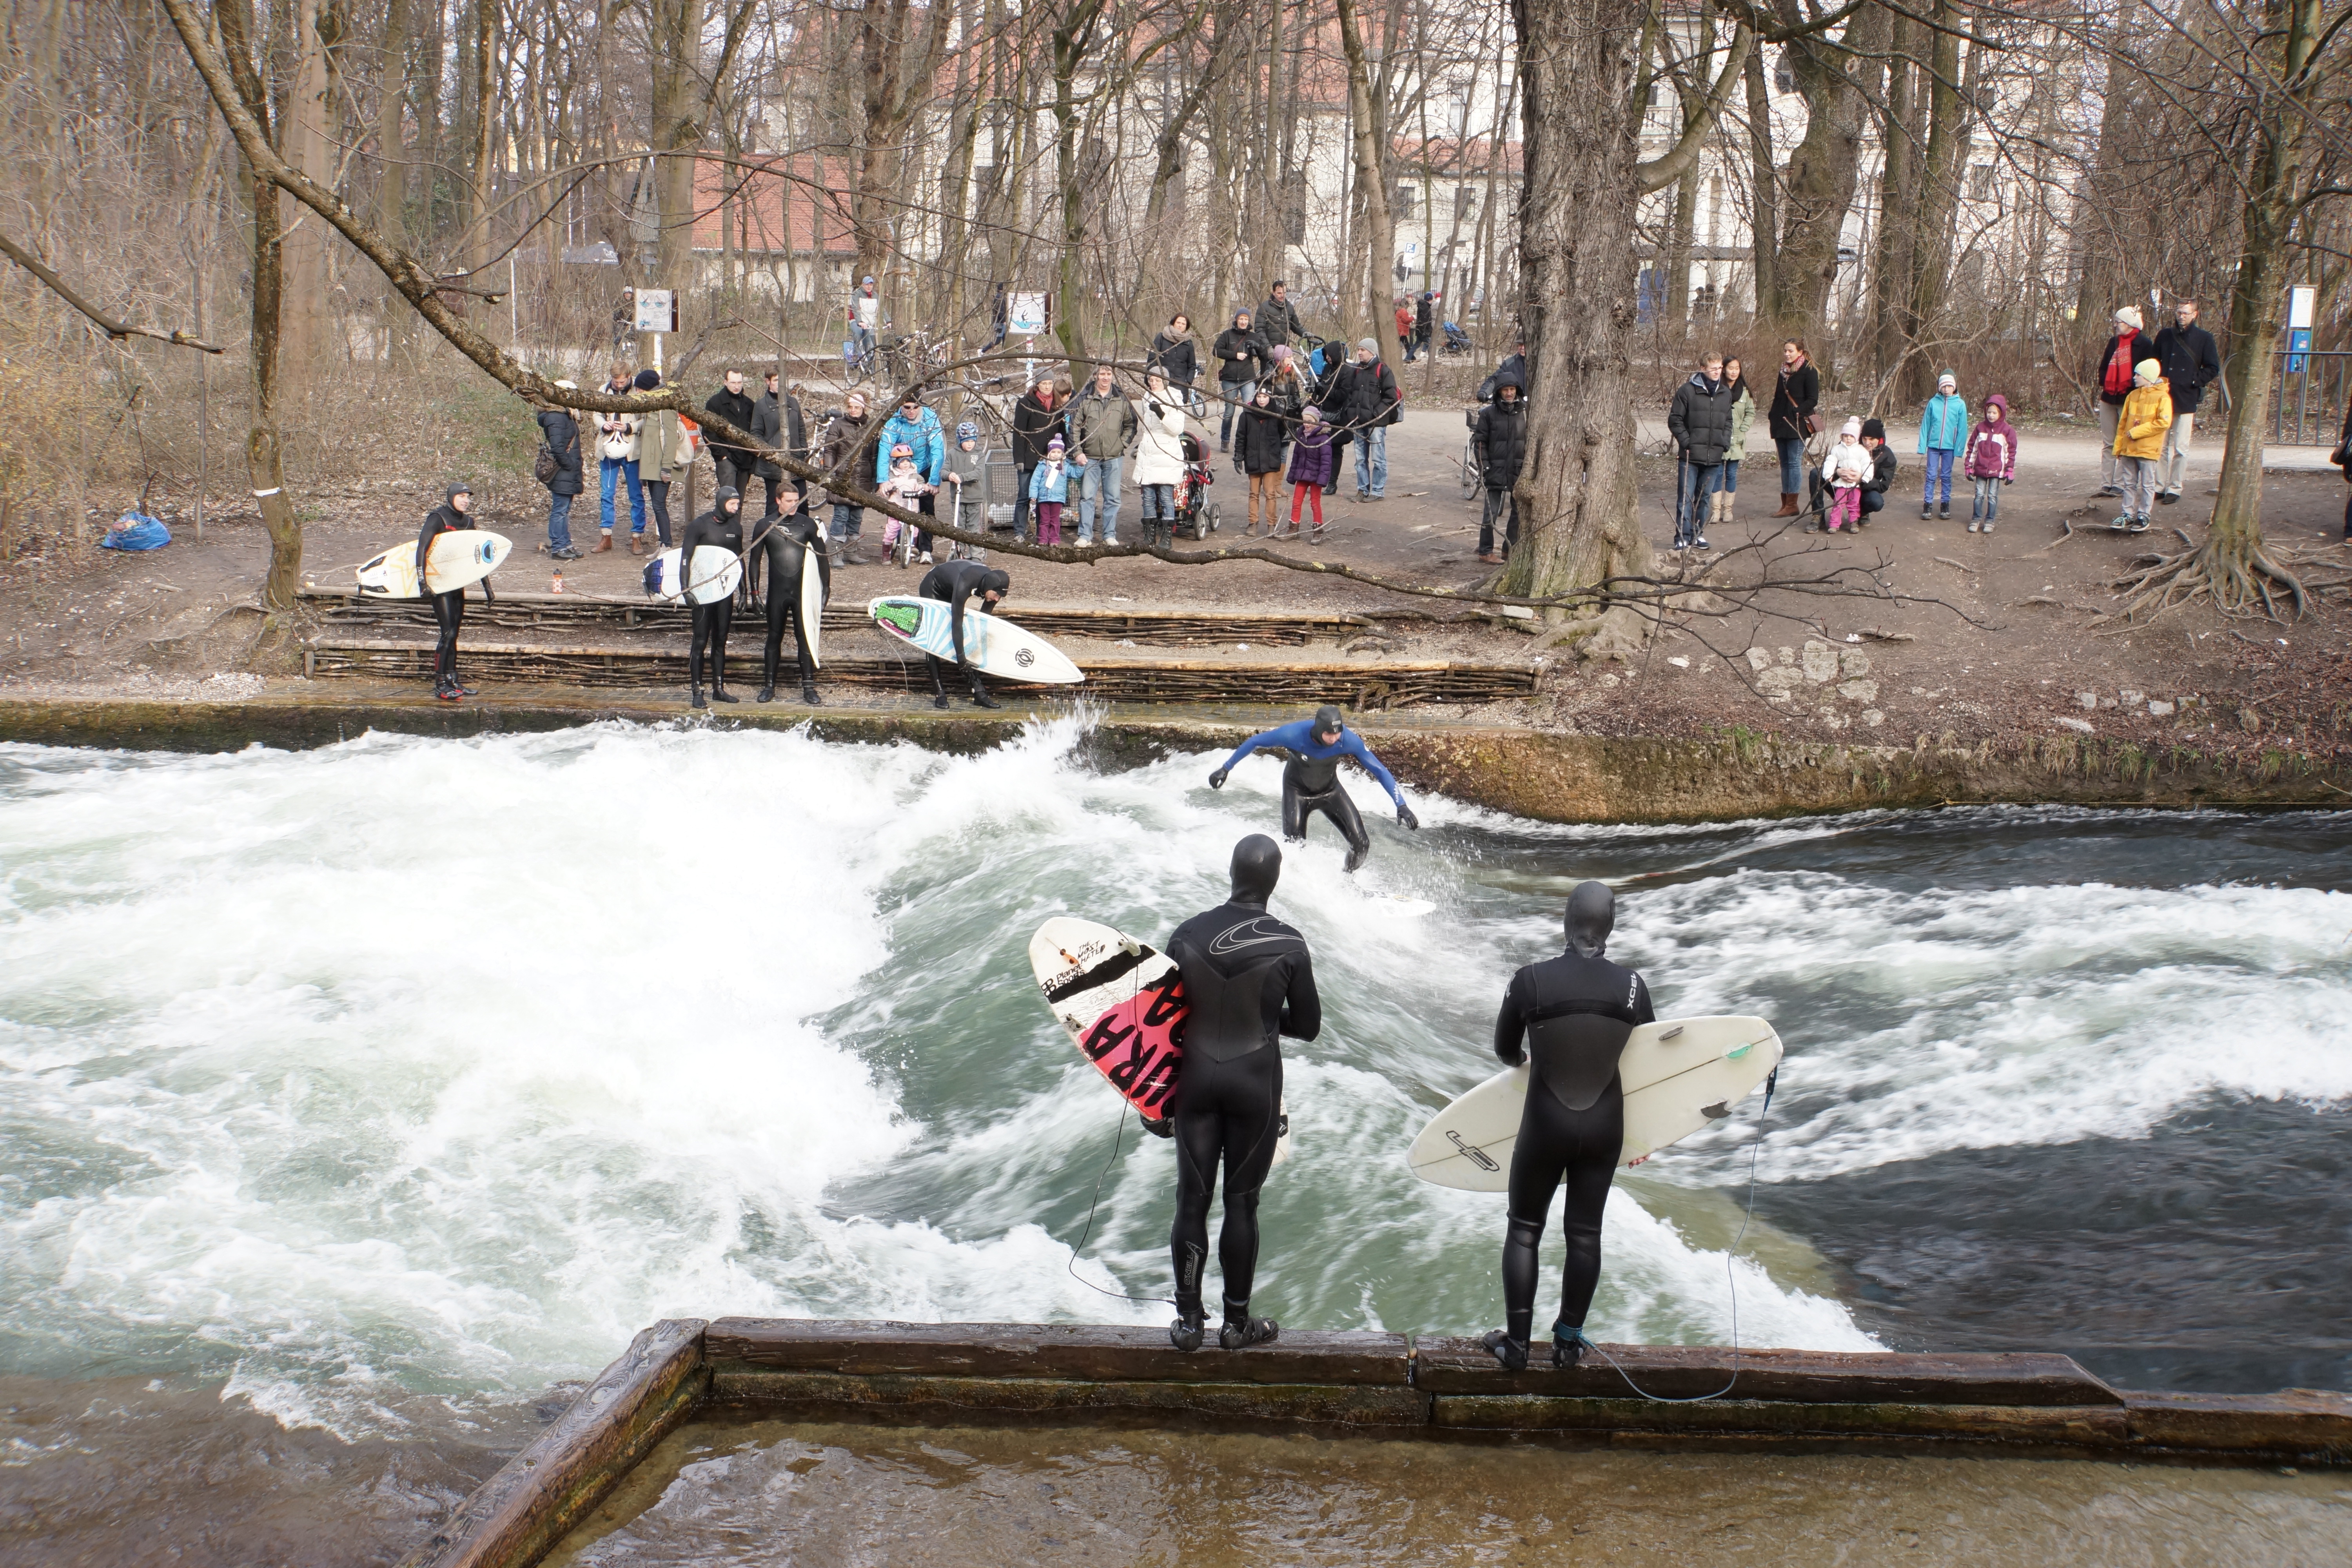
(2000, 636)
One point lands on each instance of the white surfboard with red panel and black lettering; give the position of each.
(1125, 1012)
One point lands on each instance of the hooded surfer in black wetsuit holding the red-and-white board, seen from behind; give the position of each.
(1248, 979)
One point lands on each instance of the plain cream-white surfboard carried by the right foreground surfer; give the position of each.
(1678, 1073)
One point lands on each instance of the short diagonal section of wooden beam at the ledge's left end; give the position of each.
(521, 1513)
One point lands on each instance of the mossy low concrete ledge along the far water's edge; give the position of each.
(1528, 772)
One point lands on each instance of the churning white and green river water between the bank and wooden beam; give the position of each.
(375, 1090)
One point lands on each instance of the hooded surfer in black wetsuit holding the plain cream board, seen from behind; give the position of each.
(1572, 1017)
